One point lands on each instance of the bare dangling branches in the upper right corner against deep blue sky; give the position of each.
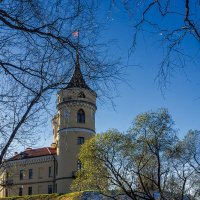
(174, 24)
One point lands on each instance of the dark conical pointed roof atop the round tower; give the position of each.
(77, 79)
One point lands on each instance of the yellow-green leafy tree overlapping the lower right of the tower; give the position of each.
(95, 156)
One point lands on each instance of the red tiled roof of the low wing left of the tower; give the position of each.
(31, 153)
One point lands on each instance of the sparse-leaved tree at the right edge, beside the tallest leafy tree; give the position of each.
(185, 160)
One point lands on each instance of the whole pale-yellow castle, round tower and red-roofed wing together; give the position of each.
(52, 169)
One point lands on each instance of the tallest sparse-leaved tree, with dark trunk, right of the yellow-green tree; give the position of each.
(153, 136)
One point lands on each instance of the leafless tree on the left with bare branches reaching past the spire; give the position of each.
(39, 41)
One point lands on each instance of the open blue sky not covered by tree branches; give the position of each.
(140, 92)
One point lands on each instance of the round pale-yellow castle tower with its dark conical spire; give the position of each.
(73, 124)
